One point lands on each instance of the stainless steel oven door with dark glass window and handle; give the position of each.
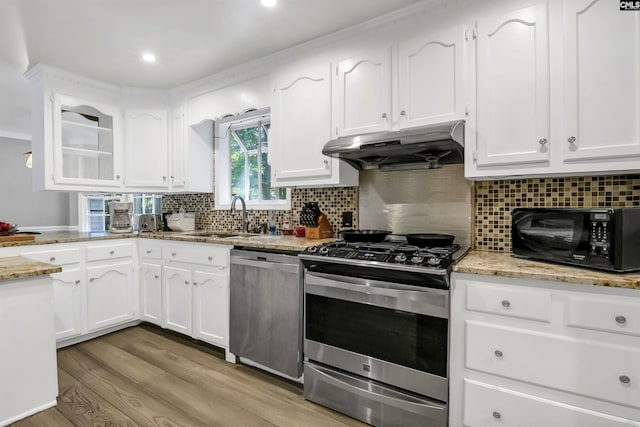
(393, 333)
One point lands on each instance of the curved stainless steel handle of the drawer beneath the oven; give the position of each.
(397, 400)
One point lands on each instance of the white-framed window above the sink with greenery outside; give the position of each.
(242, 162)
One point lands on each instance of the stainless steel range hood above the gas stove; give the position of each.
(425, 147)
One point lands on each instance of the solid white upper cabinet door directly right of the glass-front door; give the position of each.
(146, 149)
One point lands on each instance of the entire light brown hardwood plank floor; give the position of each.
(144, 377)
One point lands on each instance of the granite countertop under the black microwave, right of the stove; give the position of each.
(504, 265)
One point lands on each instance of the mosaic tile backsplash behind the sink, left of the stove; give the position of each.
(332, 202)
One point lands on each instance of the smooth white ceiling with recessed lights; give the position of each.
(191, 38)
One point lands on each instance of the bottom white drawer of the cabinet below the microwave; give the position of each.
(486, 405)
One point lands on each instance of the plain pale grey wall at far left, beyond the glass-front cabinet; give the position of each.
(19, 204)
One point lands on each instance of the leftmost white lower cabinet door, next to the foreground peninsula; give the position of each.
(67, 303)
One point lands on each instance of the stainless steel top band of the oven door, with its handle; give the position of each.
(428, 301)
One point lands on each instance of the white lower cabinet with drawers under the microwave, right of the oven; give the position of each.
(526, 353)
